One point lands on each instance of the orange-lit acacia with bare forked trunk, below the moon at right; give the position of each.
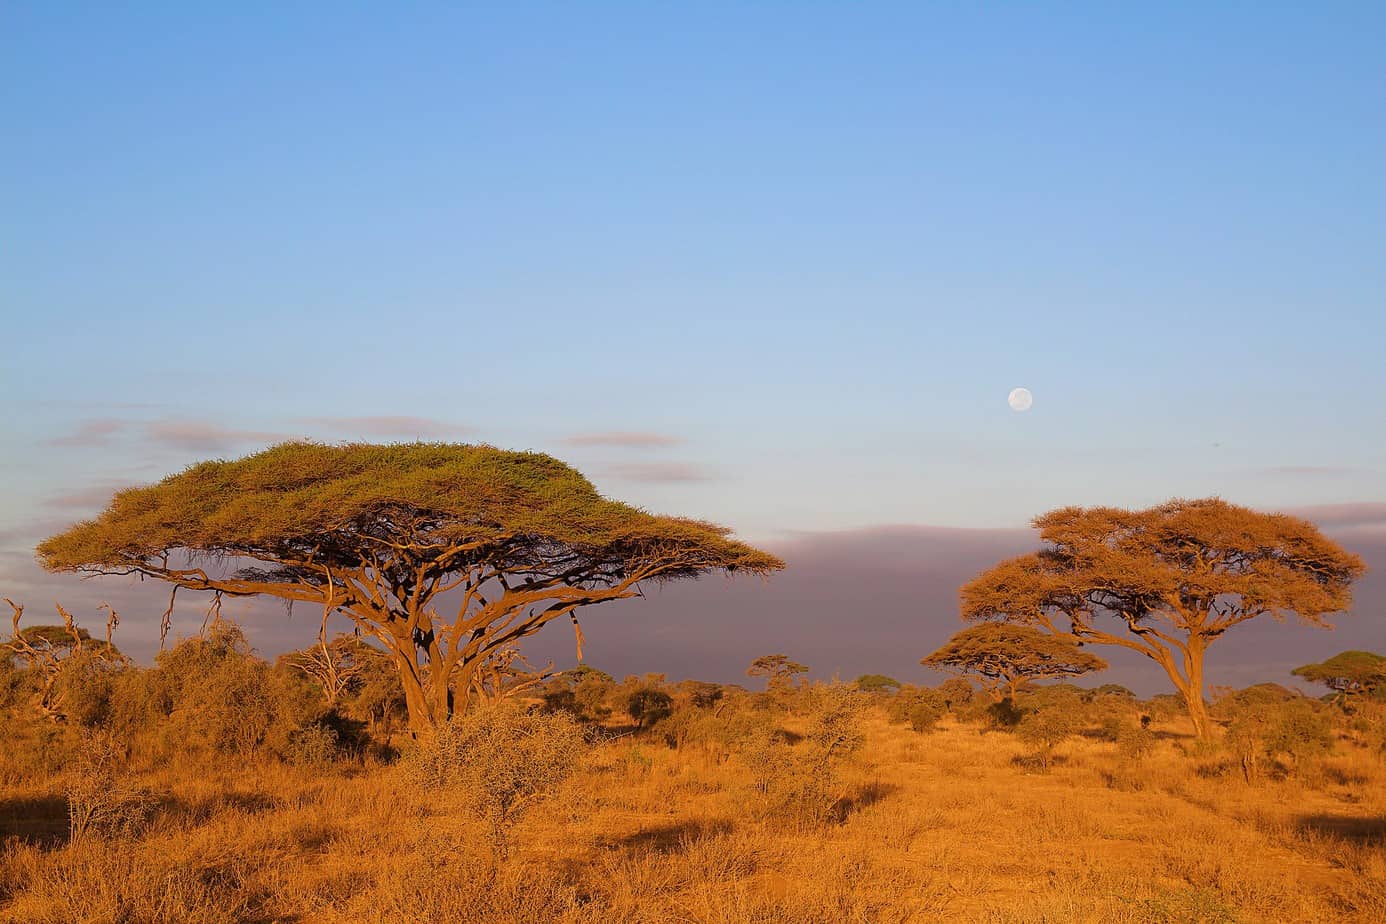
(1168, 581)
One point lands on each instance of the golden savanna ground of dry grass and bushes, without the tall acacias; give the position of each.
(221, 788)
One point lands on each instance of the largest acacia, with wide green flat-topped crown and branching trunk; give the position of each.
(380, 534)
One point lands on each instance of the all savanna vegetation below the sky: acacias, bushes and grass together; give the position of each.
(419, 770)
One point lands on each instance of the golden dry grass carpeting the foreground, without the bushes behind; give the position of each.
(943, 826)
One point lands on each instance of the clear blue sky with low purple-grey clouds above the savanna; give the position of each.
(774, 265)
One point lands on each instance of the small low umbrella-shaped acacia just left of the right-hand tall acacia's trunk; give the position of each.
(1006, 656)
